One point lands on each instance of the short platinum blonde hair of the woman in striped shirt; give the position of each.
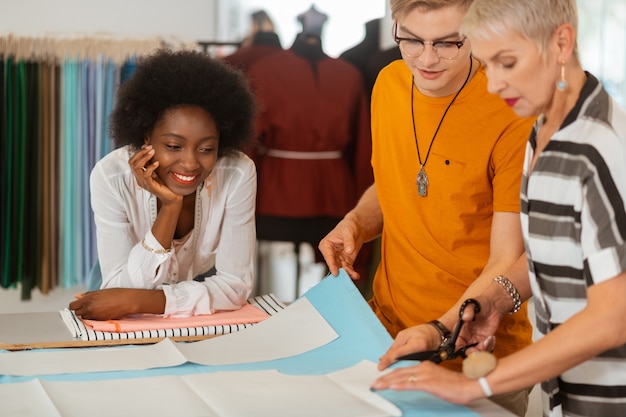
(535, 20)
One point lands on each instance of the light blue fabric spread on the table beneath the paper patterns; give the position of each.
(361, 336)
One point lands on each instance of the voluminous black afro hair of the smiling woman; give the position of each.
(169, 79)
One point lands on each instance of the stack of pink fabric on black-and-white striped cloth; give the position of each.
(257, 309)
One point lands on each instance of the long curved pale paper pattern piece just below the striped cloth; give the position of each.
(297, 329)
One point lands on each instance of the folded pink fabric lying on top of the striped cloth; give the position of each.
(246, 314)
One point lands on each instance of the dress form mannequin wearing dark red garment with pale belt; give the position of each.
(313, 139)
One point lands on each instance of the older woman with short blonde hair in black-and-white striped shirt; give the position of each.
(573, 219)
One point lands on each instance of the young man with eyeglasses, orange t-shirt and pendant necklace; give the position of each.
(447, 159)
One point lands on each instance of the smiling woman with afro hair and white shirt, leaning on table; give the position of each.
(174, 203)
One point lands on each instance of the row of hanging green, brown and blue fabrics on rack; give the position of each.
(57, 94)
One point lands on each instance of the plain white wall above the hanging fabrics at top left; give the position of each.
(186, 20)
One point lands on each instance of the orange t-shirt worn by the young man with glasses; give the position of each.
(433, 247)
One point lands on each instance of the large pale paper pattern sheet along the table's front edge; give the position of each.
(268, 393)
